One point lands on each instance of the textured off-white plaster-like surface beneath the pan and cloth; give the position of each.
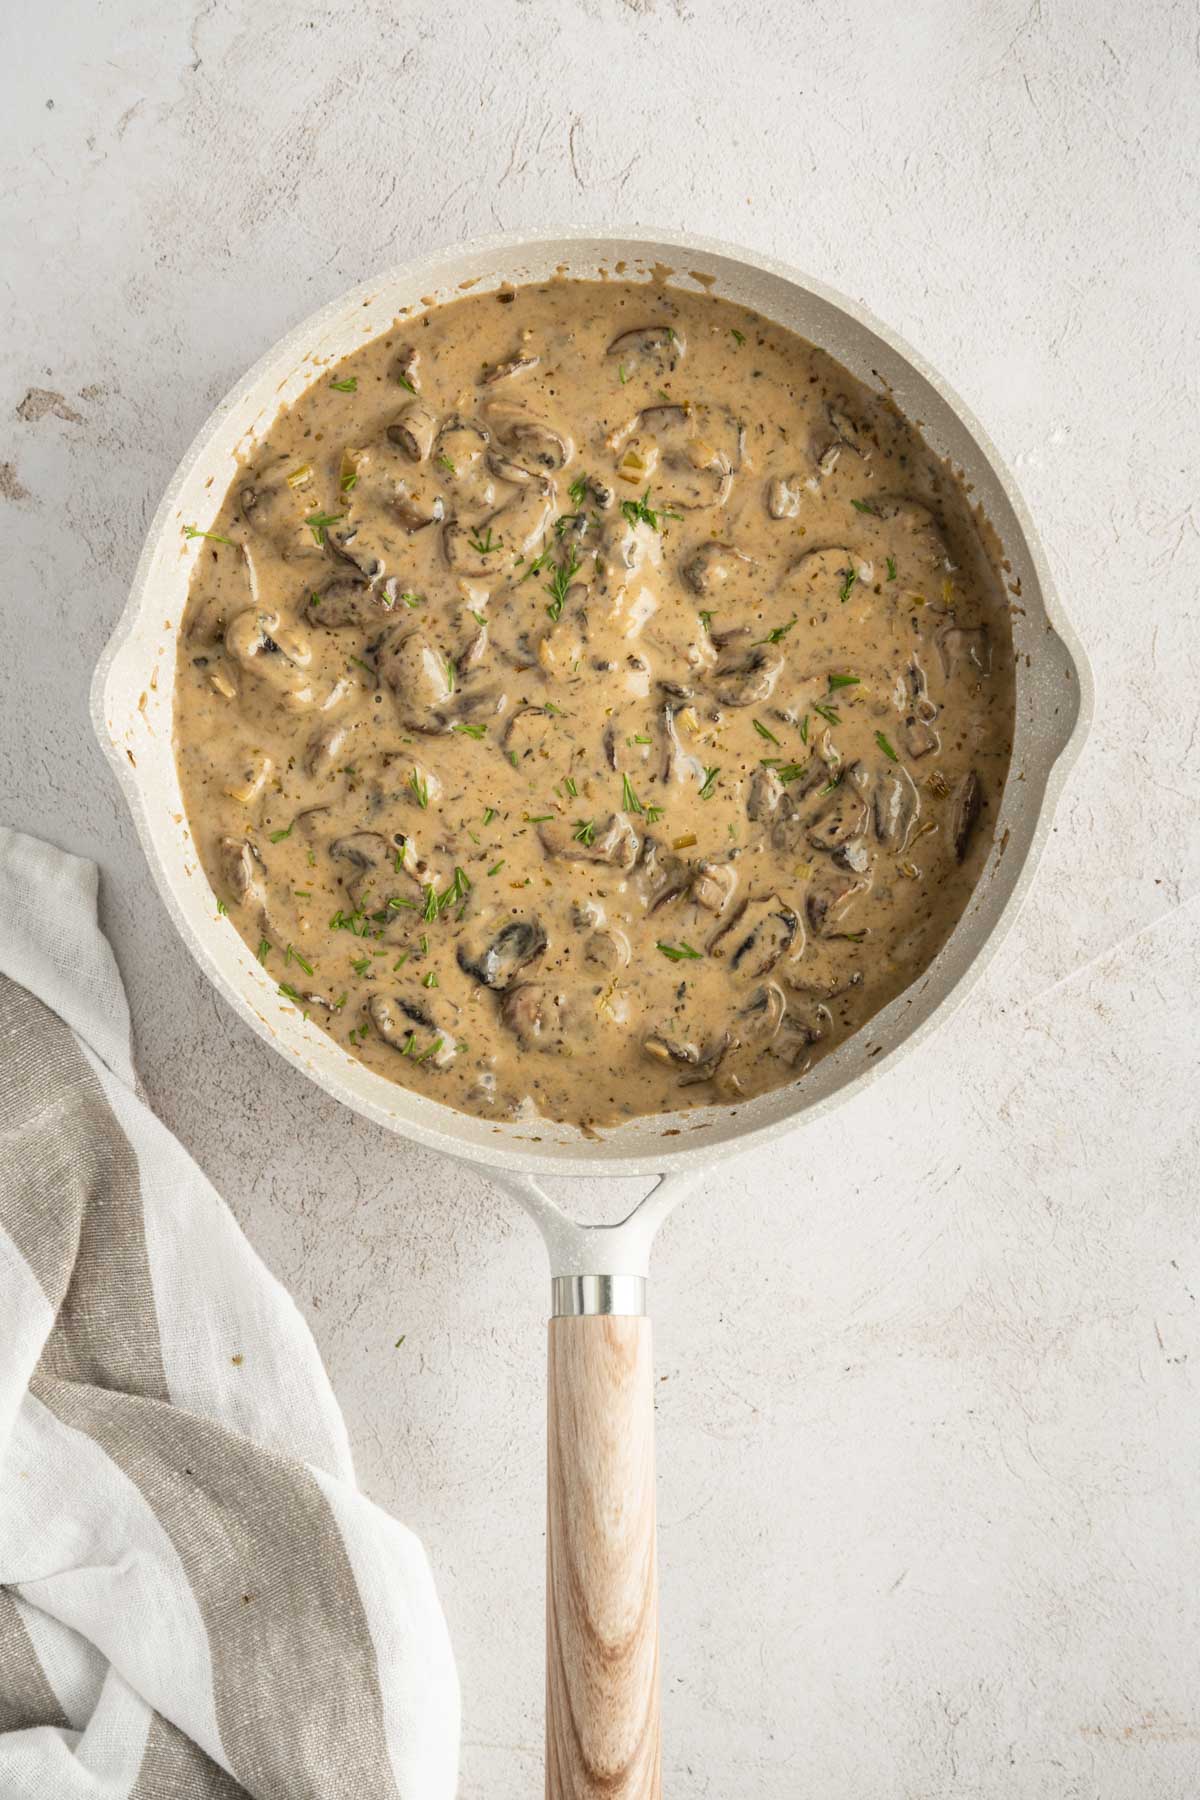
(929, 1462)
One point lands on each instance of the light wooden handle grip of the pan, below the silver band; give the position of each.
(602, 1590)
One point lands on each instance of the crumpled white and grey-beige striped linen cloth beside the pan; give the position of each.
(195, 1597)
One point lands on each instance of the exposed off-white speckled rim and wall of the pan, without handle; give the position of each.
(132, 696)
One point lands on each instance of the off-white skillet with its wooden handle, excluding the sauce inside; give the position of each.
(602, 1579)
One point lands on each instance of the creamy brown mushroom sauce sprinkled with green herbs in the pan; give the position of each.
(593, 703)
